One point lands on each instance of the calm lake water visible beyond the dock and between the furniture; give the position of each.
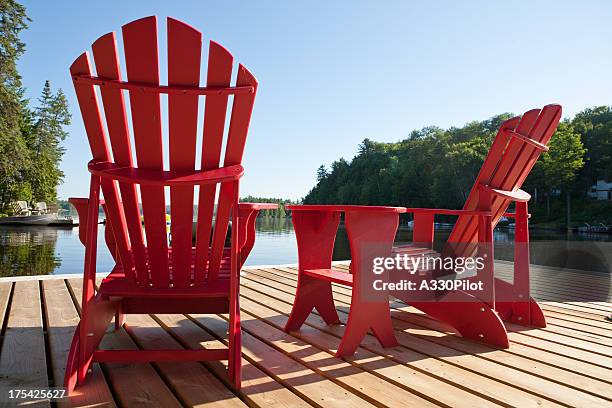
(27, 250)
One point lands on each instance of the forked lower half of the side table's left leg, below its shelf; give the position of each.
(312, 294)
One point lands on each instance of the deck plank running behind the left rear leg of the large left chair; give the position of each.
(62, 318)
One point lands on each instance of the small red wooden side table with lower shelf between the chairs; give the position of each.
(371, 231)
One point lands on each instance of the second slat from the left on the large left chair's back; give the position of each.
(106, 58)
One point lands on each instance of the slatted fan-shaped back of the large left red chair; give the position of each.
(147, 258)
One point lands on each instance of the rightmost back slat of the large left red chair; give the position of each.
(242, 108)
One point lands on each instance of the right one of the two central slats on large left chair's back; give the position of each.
(184, 56)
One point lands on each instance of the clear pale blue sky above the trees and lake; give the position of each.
(332, 73)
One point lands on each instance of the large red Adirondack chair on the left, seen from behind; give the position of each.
(150, 275)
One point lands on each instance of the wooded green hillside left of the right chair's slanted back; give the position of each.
(431, 167)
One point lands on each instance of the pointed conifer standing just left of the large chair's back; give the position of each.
(44, 144)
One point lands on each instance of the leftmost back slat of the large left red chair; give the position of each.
(90, 111)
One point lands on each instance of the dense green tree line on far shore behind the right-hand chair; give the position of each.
(435, 167)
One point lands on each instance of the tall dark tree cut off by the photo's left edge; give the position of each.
(13, 151)
